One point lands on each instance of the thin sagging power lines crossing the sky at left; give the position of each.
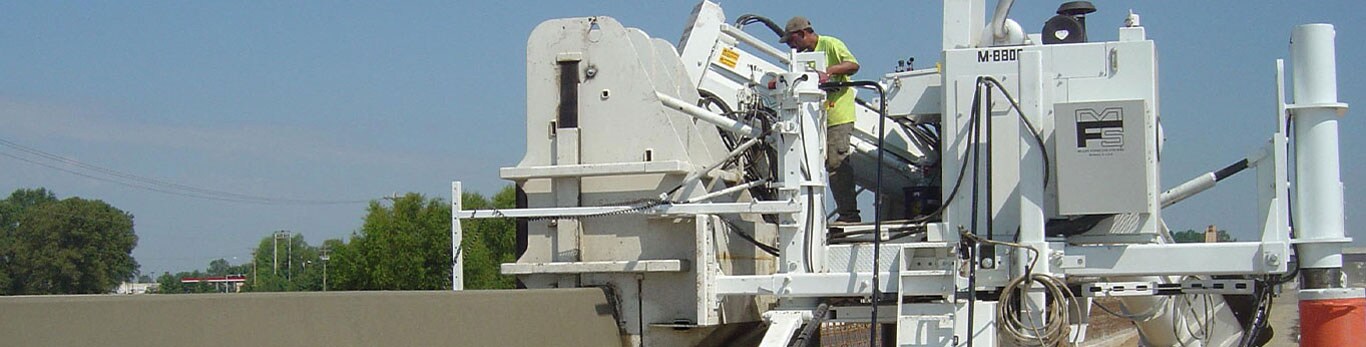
(151, 184)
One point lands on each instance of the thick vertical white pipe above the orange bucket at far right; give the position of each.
(1319, 197)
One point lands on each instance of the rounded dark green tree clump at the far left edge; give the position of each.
(72, 247)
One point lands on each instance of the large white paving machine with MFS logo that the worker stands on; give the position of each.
(1014, 182)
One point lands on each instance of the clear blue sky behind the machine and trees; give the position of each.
(353, 102)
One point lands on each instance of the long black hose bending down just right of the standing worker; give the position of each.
(878, 193)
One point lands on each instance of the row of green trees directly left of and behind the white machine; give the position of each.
(404, 244)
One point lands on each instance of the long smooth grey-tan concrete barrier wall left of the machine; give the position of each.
(522, 318)
